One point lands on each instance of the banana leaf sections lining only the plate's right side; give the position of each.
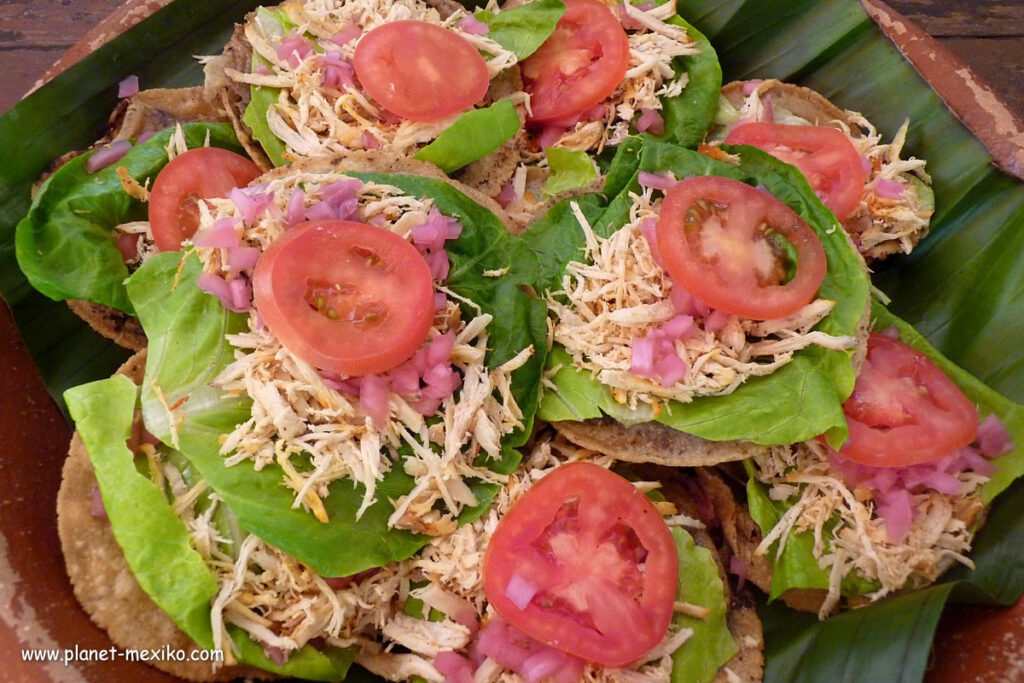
(961, 289)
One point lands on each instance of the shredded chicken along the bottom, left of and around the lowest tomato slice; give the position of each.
(284, 605)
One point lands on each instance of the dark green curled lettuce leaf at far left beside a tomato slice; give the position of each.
(66, 246)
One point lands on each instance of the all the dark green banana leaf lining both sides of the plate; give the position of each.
(962, 288)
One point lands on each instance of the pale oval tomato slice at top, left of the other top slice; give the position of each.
(420, 71)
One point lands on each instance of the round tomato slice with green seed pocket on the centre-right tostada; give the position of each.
(730, 245)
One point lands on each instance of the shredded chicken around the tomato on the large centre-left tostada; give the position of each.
(307, 422)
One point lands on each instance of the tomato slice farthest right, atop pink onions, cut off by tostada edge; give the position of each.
(905, 411)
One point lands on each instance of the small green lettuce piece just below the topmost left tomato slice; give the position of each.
(476, 135)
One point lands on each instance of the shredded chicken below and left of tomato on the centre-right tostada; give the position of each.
(620, 293)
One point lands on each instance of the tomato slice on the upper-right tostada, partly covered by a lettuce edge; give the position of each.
(825, 155)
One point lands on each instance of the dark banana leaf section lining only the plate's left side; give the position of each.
(70, 114)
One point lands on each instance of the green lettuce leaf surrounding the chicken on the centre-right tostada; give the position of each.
(802, 400)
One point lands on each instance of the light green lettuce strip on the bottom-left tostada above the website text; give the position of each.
(155, 541)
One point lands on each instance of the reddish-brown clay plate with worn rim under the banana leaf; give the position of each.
(38, 610)
